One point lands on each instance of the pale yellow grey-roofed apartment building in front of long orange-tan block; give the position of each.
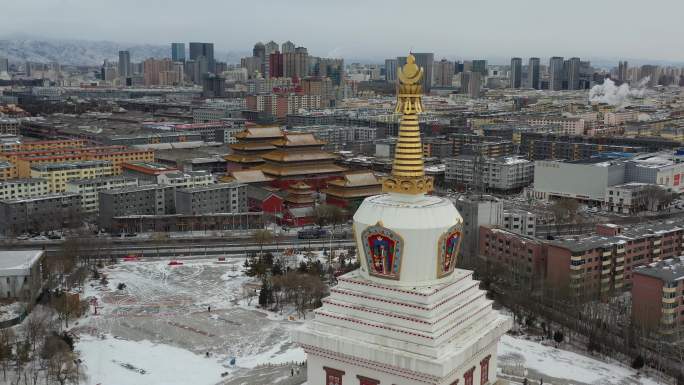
(58, 174)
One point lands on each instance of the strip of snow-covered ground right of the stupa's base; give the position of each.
(547, 361)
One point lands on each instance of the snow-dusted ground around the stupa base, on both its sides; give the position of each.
(158, 328)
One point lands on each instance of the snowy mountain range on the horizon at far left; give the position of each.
(75, 52)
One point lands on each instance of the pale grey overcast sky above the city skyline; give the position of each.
(372, 29)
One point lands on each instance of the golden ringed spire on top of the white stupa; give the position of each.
(408, 176)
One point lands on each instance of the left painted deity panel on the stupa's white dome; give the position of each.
(383, 248)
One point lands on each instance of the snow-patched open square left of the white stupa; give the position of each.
(165, 310)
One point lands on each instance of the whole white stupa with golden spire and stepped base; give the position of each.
(407, 316)
